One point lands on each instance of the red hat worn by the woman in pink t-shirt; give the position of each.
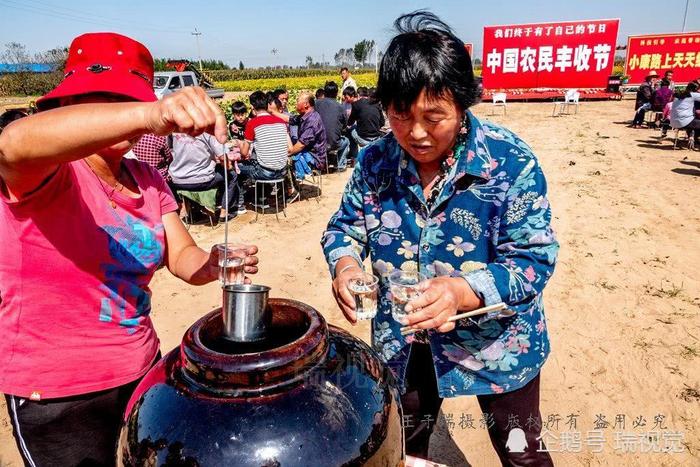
(104, 62)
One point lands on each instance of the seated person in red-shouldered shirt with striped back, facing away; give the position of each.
(267, 135)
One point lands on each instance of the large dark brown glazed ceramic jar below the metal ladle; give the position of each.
(308, 395)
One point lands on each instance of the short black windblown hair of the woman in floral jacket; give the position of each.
(425, 55)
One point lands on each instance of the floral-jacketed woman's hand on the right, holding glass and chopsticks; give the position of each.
(441, 298)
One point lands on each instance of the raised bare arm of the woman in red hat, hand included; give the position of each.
(32, 148)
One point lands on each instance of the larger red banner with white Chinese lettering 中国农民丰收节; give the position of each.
(570, 54)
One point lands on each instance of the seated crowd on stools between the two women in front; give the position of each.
(267, 142)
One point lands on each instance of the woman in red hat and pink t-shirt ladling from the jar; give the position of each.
(83, 230)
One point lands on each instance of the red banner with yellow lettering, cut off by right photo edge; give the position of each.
(679, 53)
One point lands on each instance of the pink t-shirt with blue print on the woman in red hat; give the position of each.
(74, 278)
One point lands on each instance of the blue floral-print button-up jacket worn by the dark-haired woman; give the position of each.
(489, 225)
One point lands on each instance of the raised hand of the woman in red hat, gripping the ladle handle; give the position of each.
(188, 111)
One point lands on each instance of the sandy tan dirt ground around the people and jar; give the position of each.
(622, 307)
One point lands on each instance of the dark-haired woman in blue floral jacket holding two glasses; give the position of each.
(463, 202)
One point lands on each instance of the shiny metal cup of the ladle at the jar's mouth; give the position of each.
(245, 312)
